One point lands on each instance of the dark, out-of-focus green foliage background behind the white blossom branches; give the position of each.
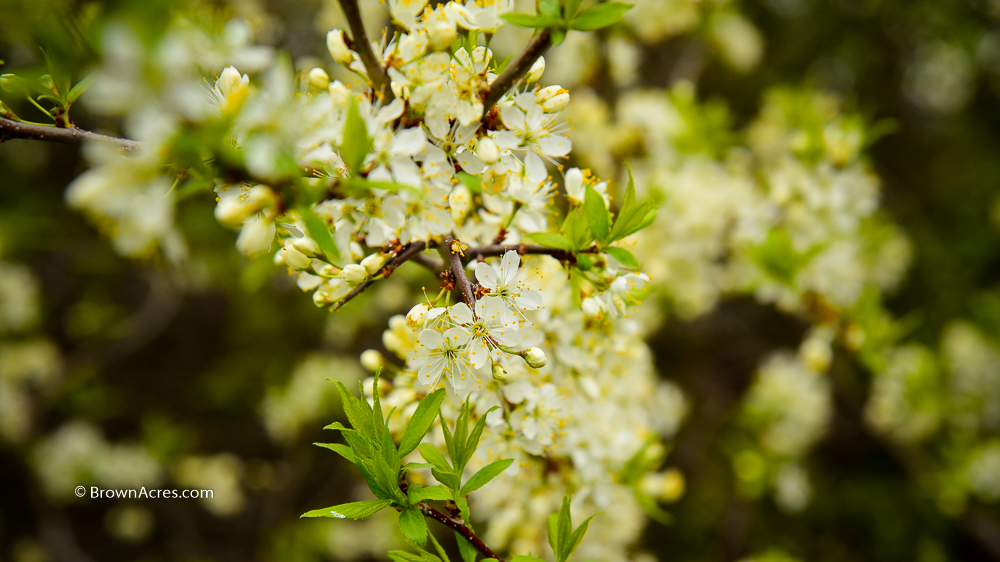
(212, 374)
